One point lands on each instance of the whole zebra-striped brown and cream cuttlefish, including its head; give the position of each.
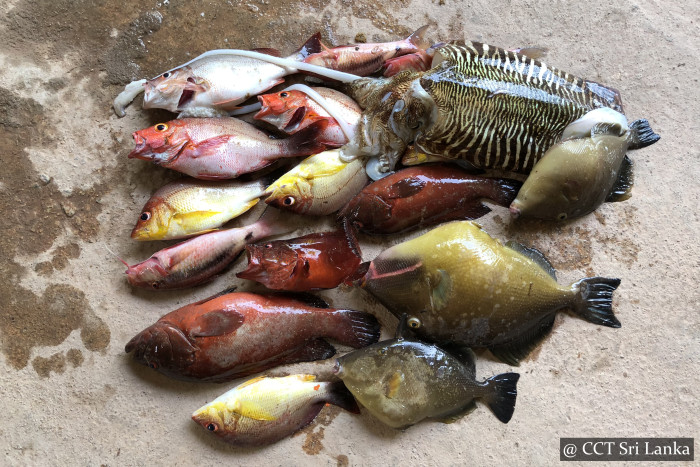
(492, 107)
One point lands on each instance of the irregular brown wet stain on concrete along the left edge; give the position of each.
(35, 216)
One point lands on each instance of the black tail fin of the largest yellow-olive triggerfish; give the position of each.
(594, 300)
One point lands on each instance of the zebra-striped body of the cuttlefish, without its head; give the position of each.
(497, 108)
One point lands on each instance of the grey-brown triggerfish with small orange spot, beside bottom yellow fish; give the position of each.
(403, 381)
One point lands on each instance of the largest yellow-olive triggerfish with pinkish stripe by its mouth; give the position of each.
(458, 284)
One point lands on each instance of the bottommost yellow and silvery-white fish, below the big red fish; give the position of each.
(265, 410)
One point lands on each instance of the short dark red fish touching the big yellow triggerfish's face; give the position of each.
(315, 261)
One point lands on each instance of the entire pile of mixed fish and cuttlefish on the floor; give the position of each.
(428, 123)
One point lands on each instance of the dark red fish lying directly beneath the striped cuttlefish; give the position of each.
(425, 195)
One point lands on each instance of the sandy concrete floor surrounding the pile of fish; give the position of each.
(70, 396)
